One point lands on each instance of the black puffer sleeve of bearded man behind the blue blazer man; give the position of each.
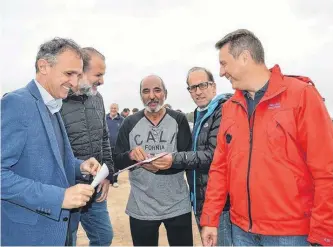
(107, 154)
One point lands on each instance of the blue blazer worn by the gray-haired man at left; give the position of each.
(33, 176)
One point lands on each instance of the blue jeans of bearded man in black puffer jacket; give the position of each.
(96, 222)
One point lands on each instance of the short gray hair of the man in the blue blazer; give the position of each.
(51, 49)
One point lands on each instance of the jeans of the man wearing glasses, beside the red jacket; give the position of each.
(224, 236)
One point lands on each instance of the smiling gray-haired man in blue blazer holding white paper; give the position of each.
(38, 168)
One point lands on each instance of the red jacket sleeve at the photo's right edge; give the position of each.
(317, 144)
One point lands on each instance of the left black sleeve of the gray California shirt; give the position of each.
(122, 149)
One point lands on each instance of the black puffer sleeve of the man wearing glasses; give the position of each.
(200, 159)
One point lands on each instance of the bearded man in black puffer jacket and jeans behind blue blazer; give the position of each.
(84, 118)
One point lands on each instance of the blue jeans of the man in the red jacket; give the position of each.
(242, 238)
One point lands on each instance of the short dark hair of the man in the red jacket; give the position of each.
(240, 40)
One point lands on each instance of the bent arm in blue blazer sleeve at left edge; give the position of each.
(17, 189)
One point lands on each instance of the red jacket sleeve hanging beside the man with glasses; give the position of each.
(217, 188)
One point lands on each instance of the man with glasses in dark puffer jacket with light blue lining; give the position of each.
(207, 117)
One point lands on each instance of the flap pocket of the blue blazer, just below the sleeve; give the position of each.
(19, 214)
